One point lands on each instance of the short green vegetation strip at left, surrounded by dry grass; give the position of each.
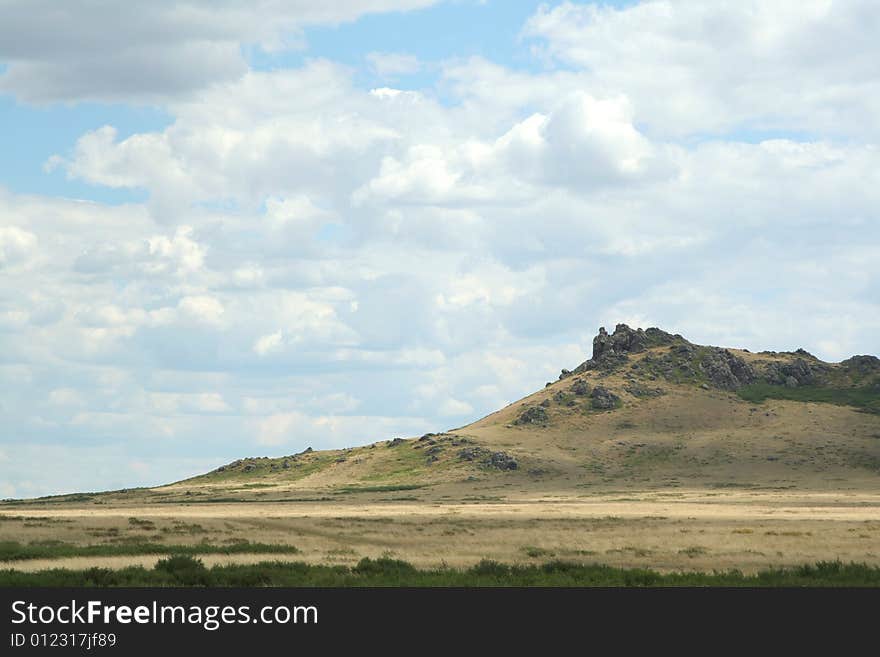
(14, 551)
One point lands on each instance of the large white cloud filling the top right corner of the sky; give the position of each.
(693, 67)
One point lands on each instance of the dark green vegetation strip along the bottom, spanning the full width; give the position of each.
(185, 570)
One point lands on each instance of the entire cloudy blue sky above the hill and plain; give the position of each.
(245, 228)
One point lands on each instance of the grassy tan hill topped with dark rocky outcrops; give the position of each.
(648, 410)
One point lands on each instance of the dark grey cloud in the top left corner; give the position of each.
(82, 51)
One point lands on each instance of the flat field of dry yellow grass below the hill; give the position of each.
(684, 530)
